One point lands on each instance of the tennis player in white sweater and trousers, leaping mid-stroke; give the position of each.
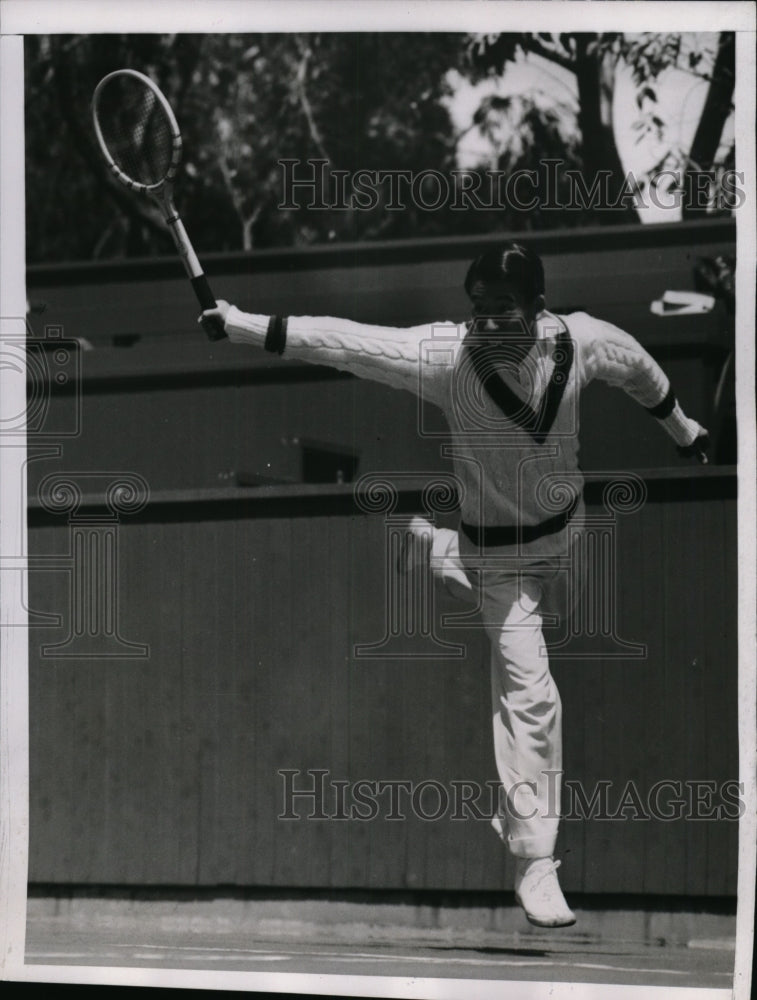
(508, 382)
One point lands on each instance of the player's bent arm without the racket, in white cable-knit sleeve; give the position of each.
(615, 357)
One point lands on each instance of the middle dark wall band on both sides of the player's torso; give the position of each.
(210, 435)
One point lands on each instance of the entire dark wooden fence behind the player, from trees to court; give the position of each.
(166, 721)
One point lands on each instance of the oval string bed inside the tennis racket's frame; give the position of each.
(136, 130)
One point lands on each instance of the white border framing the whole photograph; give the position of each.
(19, 17)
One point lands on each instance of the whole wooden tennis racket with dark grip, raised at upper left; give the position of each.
(141, 142)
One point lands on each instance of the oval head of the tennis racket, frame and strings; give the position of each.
(136, 130)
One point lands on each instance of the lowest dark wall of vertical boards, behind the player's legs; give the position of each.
(165, 770)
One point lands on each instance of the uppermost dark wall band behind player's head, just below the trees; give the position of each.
(614, 272)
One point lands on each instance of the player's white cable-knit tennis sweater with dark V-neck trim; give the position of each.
(514, 421)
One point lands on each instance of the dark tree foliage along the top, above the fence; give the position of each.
(354, 101)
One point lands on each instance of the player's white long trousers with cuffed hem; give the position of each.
(514, 597)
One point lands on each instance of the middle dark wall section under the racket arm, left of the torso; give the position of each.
(210, 435)
